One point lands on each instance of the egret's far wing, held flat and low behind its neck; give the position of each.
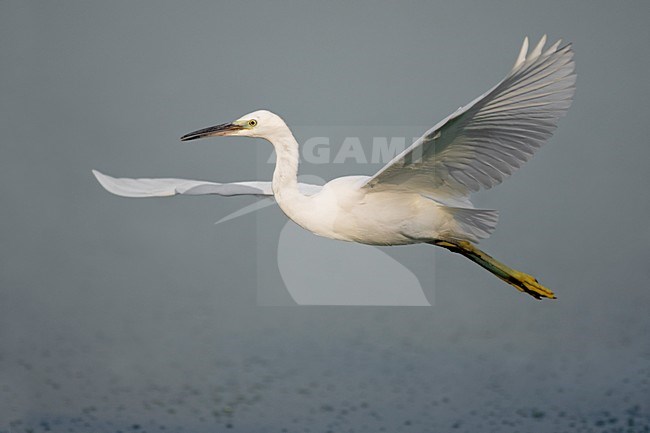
(167, 187)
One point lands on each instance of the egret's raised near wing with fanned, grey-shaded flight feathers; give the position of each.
(485, 141)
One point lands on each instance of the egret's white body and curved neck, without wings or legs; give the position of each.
(344, 210)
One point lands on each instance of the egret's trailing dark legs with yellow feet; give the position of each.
(519, 280)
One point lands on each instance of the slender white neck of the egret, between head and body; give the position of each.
(285, 176)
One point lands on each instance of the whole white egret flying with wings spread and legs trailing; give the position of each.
(422, 195)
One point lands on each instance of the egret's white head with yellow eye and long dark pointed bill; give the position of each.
(261, 123)
